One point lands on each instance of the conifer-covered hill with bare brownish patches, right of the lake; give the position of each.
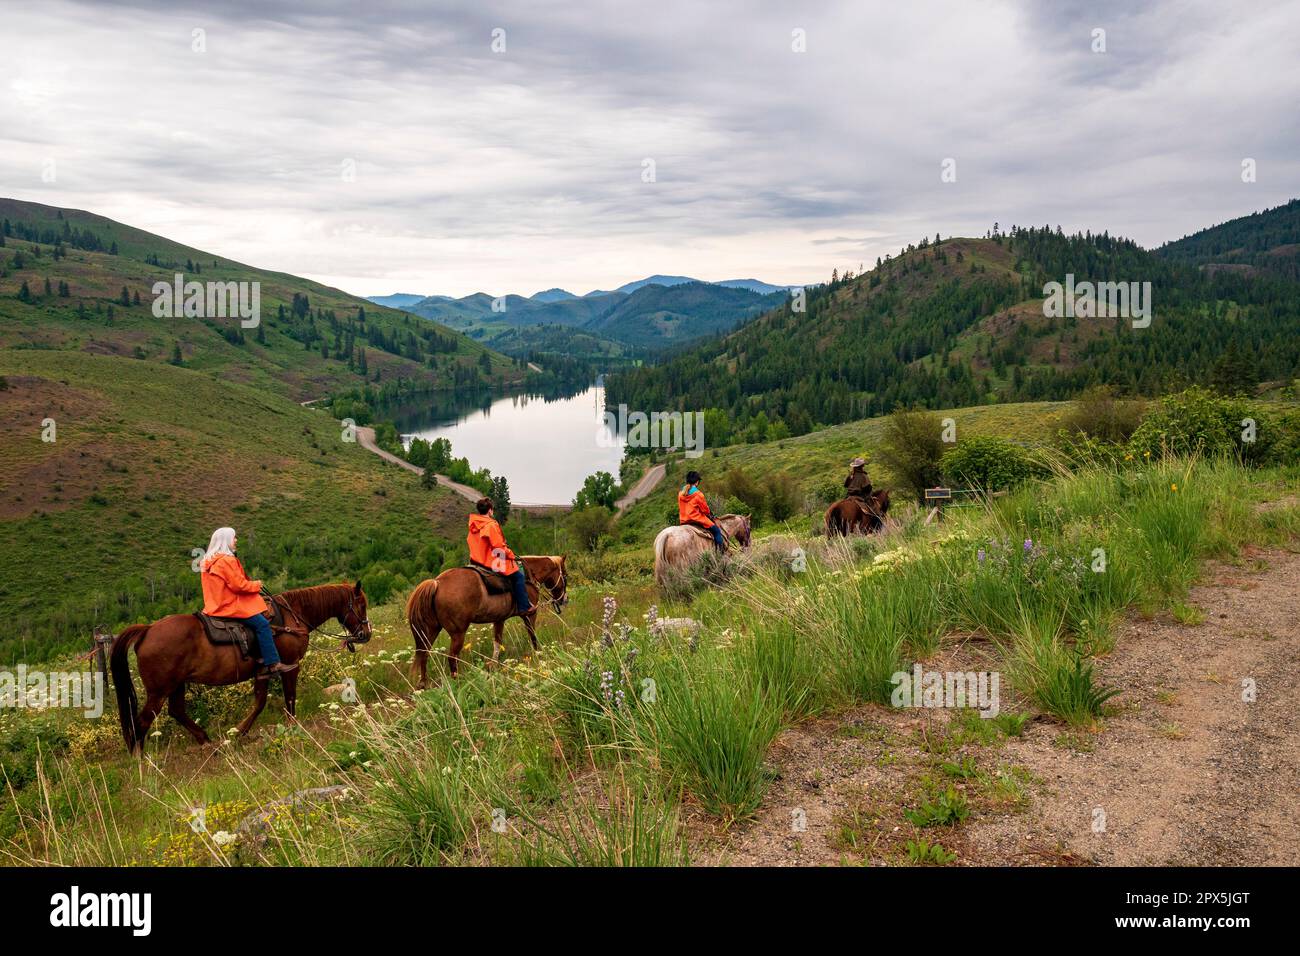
(961, 322)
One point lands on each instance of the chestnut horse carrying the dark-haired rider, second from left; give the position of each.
(458, 599)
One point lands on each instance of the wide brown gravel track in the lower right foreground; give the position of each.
(1198, 764)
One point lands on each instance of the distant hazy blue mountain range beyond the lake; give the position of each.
(648, 315)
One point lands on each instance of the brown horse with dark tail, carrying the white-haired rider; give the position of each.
(175, 651)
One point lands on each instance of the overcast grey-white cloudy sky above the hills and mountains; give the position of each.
(389, 148)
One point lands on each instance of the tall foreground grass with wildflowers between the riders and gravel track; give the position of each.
(631, 732)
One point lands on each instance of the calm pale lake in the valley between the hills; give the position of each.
(544, 447)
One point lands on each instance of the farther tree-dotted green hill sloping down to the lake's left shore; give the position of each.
(313, 340)
